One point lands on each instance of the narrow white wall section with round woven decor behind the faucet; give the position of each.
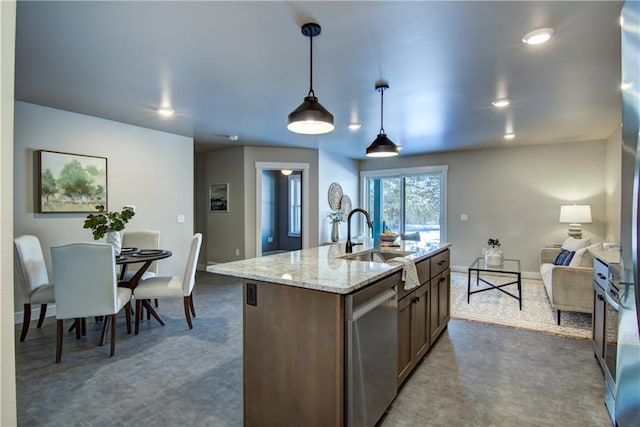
(344, 171)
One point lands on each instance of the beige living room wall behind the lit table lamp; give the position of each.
(515, 194)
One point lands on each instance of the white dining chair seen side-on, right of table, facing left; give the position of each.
(172, 286)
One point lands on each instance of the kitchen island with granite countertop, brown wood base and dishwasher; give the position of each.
(315, 348)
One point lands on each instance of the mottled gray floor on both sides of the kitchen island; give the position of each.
(475, 375)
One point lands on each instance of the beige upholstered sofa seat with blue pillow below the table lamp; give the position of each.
(569, 287)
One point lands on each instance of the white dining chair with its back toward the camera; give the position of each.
(87, 286)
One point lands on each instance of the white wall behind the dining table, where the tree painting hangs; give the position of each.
(149, 169)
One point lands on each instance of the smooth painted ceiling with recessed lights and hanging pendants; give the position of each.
(239, 68)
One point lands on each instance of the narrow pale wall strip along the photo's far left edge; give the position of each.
(7, 331)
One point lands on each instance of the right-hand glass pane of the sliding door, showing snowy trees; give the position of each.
(423, 207)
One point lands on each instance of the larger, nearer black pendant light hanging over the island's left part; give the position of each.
(310, 118)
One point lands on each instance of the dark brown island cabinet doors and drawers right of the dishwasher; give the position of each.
(423, 312)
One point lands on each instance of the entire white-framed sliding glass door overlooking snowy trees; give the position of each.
(411, 200)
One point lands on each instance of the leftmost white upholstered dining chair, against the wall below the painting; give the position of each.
(35, 279)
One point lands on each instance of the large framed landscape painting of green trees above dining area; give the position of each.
(71, 182)
